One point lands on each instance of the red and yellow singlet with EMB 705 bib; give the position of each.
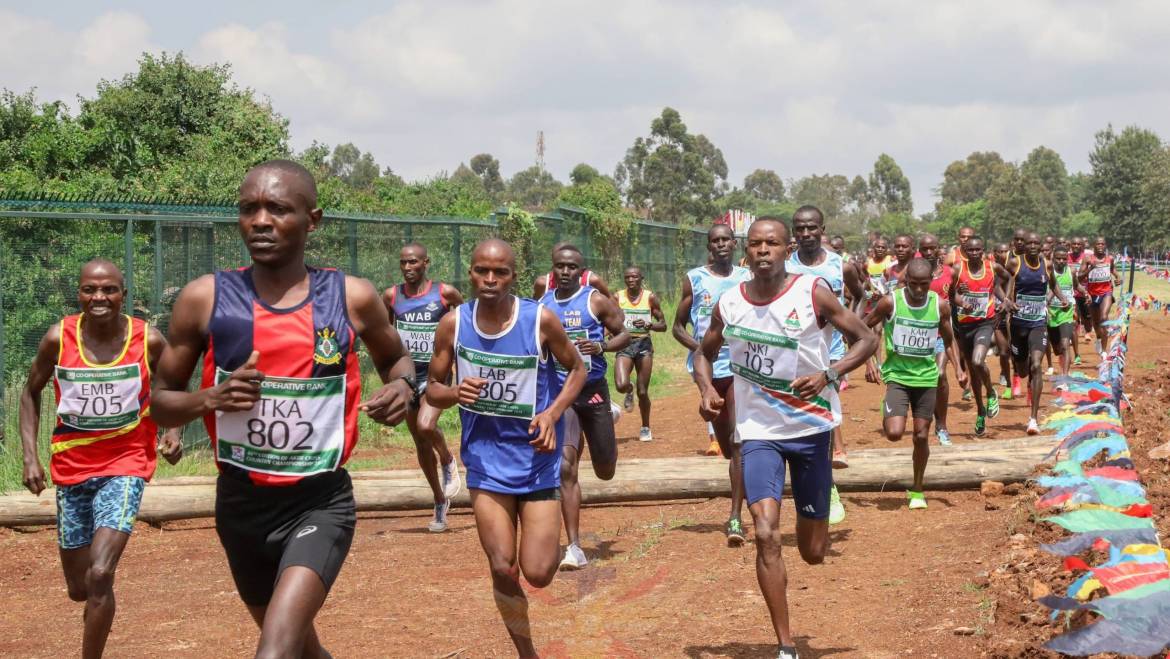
(104, 427)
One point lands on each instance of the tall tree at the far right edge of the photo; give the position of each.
(1120, 164)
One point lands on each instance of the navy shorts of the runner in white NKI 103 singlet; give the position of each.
(810, 464)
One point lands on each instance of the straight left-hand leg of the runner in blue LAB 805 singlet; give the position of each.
(495, 520)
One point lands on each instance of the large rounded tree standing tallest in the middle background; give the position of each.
(673, 174)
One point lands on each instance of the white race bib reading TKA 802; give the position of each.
(298, 428)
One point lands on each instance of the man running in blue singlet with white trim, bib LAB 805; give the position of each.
(506, 387)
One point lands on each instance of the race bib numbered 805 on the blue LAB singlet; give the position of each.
(511, 390)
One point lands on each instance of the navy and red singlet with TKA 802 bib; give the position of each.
(306, 422)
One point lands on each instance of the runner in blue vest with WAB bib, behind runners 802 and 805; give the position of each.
(416, 307)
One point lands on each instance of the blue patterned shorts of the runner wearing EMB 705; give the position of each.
(101, 502)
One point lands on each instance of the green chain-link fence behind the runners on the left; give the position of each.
(162, 248)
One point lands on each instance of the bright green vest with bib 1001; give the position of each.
(911, 337)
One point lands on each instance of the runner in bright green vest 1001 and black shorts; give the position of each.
(914, 320)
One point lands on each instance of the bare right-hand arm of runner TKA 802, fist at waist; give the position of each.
(389, 355)
